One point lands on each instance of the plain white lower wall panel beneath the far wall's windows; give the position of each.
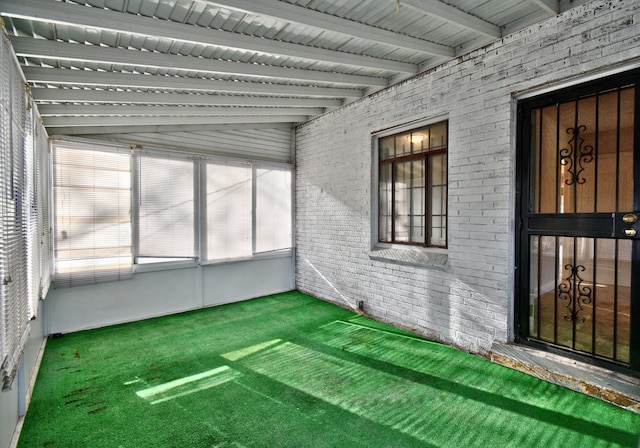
(157, 293)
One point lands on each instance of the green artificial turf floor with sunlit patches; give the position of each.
(292, 371)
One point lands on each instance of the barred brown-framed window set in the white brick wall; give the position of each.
(412, 187)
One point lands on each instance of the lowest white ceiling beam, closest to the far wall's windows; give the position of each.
(105, 122)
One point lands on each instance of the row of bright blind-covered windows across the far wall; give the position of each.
(186, 209)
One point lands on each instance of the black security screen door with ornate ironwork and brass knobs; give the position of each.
(579, 236)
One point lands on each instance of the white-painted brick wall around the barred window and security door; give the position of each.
(468, 302)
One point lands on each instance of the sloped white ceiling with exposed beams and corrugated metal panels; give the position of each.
(131, 67)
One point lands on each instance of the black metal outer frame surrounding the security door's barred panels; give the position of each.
(523, 161)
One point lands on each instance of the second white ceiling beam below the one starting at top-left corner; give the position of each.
(128, 80)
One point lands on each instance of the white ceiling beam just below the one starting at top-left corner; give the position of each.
(42, 48)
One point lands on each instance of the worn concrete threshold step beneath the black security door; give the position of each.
(613, 387)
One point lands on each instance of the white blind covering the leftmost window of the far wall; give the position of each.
(92, 196)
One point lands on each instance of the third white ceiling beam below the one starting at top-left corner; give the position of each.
(41, 94)
